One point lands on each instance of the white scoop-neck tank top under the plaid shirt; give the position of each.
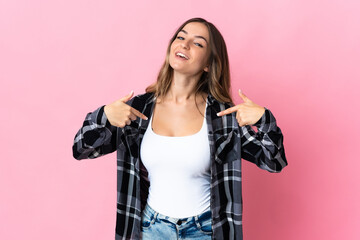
(179, 172)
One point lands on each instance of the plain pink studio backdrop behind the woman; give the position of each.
(61, 59)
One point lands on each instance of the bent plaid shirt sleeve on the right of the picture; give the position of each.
(264, 148)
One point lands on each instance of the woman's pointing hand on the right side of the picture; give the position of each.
(247, 113)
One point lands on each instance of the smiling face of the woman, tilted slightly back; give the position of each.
(190, 50)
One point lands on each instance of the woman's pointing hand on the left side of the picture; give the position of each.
(120, 114)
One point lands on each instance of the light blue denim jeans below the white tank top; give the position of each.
(155, 226)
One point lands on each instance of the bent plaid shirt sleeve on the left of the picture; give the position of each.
(96, 137)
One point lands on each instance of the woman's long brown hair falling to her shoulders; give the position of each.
(216, 81)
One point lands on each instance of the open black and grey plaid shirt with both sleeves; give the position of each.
(228, 144)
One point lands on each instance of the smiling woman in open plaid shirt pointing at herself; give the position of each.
(179, 145)
